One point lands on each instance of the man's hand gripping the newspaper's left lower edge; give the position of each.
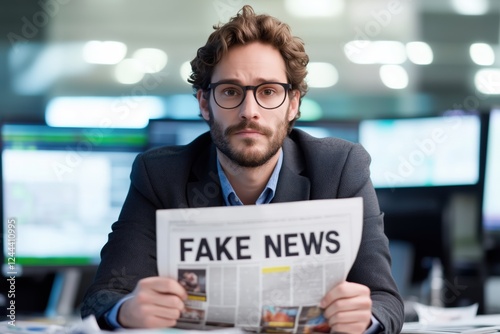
(156, 302)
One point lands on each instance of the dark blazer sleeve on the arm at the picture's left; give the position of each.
(130, 252)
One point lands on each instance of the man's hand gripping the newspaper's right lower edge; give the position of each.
(348, 308)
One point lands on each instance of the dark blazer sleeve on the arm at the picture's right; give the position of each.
(372, 266)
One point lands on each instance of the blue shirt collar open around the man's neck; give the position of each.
(229, 195)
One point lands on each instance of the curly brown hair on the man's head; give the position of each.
(247, 27)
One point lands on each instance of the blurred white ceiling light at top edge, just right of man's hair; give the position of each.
(316, 8)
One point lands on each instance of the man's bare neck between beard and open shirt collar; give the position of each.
(248, 182)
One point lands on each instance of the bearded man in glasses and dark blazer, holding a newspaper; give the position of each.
(249, 81)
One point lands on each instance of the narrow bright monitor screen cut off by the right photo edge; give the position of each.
(491, 195)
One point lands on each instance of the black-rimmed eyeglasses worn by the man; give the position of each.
(269, 95)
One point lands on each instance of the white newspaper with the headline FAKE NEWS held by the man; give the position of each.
(261, 268)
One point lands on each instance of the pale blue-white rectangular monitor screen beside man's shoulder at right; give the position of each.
(423, 152)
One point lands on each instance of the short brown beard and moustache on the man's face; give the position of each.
(246, 157)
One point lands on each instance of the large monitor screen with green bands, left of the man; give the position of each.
(63, 188)
